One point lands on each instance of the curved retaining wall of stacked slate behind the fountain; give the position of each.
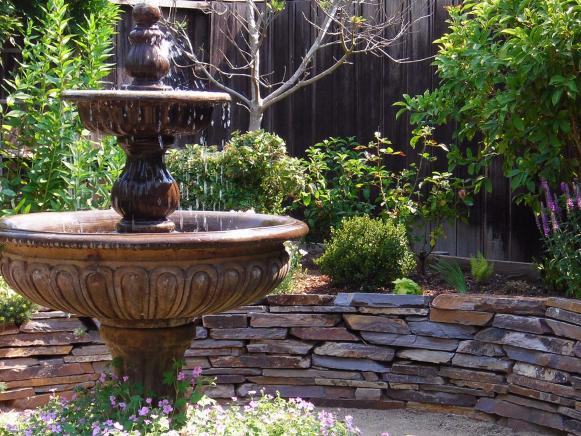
(516, 360)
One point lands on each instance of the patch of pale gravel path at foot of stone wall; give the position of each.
(401, 422)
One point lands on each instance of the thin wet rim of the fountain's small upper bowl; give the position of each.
(160, 96)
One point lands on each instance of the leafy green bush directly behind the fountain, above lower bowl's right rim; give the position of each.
(252, 172)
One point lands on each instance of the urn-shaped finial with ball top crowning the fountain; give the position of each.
(147, 62)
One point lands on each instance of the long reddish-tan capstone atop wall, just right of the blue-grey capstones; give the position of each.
(490, 303)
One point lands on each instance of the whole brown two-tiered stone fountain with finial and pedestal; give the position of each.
(144, 281)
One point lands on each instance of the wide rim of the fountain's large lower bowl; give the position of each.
(284, 228)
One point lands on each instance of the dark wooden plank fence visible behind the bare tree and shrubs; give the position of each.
(356, 101)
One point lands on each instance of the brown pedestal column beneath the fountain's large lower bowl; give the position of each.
(145, 354)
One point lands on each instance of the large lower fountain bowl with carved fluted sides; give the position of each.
(75, 262)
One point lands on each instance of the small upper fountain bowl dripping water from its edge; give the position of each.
(146, 113)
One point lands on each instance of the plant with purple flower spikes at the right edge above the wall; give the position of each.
(560, 223)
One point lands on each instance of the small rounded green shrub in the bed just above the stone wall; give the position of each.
(367, 253)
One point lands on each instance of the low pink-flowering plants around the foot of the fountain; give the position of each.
(116, 407)
